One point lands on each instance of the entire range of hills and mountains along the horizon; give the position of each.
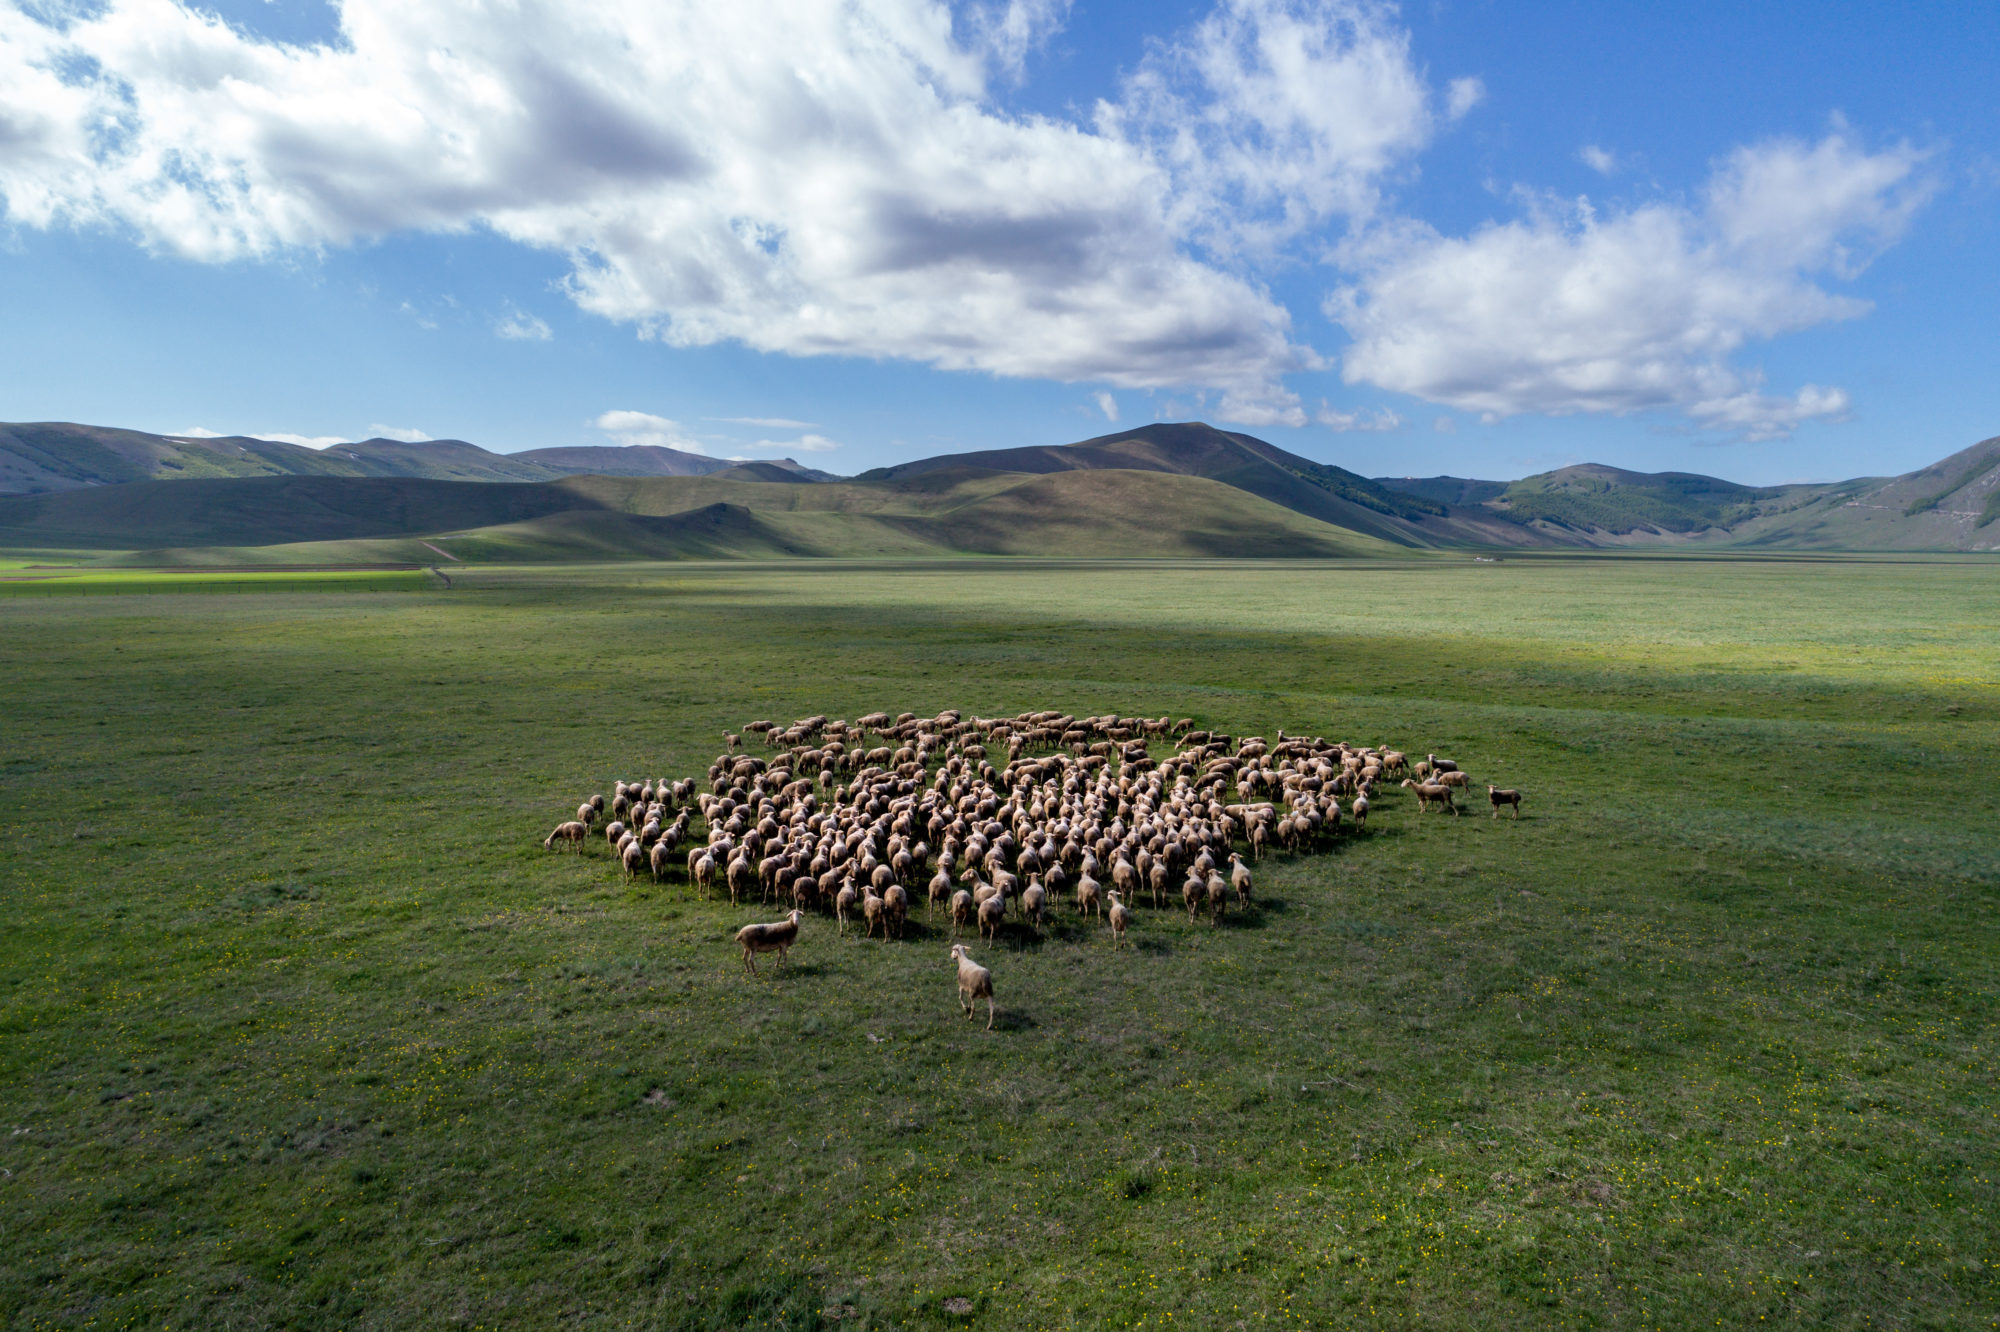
(1155, 491)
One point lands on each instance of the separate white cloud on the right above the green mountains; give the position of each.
(1569, 311)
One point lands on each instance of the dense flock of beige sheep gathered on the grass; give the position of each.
(855, 817)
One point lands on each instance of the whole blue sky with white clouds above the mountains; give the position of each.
(1467, 239)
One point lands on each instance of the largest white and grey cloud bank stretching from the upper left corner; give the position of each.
(789, 175)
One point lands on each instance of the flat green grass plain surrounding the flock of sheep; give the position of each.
(301, 1027)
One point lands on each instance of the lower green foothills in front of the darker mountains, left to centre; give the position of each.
(329, 521)
